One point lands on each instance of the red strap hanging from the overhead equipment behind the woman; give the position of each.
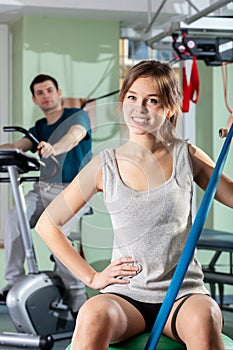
(191, 91)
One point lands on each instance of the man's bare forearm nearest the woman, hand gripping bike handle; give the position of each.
(71, 139)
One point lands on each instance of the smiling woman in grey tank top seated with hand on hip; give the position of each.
(147, 185)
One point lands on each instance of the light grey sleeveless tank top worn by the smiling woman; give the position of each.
(152, 227)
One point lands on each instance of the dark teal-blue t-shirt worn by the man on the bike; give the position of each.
(70, 162)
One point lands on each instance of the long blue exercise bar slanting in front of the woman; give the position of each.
(190, 246)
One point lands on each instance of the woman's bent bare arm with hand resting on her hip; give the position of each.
(62, 208)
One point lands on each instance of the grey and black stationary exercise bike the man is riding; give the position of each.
(36, 303)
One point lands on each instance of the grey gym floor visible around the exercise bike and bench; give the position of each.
(7, 326)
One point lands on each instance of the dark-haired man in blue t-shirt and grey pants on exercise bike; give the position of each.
(63, 133)
